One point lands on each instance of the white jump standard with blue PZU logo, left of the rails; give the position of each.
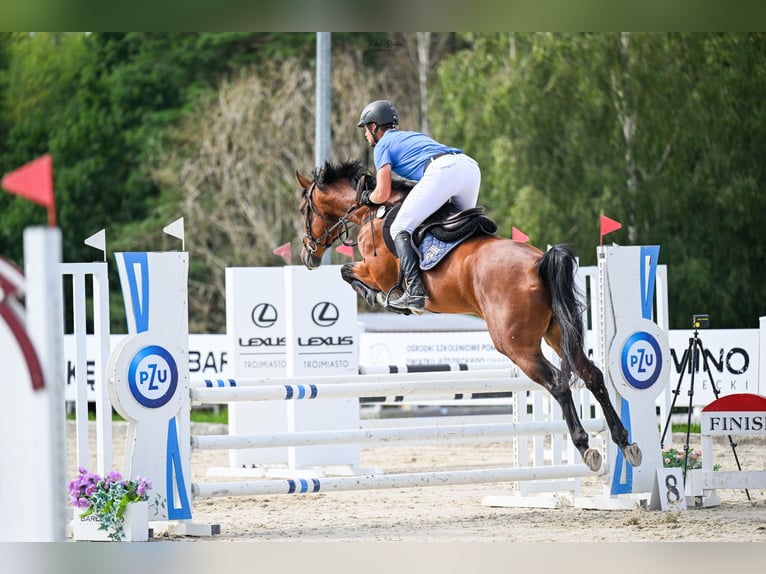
(148, 377)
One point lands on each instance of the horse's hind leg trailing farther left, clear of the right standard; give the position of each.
(540, 370)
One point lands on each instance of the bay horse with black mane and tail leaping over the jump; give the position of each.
(525, 296)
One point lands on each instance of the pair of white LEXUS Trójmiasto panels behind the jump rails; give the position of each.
(297, 322)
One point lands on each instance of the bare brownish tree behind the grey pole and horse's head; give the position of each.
(232, 167)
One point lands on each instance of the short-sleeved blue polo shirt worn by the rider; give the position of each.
(408, 152)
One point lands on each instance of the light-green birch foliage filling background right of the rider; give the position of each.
(660, 131)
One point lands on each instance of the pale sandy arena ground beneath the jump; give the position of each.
(455, 513)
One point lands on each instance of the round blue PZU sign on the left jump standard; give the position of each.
(153, 376)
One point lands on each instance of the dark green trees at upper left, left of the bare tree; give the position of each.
(101, 104)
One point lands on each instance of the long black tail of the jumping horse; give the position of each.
(557, 271)
